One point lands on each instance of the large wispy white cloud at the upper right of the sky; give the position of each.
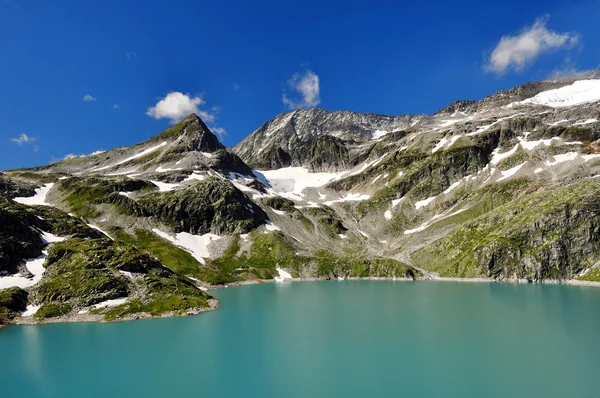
(520, 50)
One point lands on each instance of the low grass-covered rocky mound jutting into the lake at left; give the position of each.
(81, 273)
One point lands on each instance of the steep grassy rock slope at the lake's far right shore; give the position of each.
(545, 232)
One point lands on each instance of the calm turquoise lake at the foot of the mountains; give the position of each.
(327, 339)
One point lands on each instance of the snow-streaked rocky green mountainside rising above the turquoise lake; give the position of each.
(506, 187)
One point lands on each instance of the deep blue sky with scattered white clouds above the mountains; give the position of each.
(80, 76)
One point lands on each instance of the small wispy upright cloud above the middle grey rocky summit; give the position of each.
(302, 90)
